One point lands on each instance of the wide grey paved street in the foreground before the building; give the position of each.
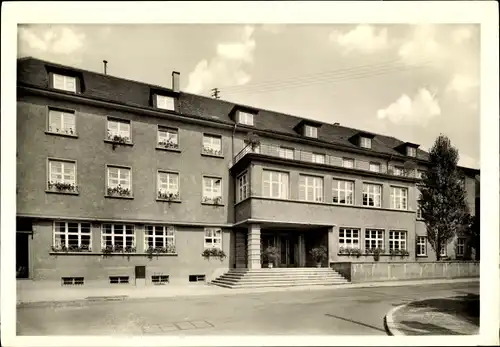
(354, 311)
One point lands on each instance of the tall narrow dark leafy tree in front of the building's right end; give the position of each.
(442, 200)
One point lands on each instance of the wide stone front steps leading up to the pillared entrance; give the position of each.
(278, 277)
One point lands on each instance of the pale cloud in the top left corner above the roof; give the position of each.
(57, 40)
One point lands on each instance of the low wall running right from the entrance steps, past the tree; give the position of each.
(374, 271)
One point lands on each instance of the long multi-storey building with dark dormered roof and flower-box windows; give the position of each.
(109, 169)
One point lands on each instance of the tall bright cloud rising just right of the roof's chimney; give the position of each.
(226, 68)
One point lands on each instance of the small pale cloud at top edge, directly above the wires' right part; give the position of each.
(364, 39)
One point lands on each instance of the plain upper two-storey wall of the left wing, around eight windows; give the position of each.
(92, 155)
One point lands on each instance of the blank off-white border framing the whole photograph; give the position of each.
(484, 12)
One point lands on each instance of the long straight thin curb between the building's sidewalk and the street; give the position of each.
(226, 291)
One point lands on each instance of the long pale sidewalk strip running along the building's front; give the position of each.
(47, 295)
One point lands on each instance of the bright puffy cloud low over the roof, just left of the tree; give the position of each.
(417, 111)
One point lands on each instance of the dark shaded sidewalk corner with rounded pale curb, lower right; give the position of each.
(456, 315)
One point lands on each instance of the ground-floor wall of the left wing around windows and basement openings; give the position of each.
(95, 267)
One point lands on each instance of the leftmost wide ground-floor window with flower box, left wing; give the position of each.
(72, 236)
